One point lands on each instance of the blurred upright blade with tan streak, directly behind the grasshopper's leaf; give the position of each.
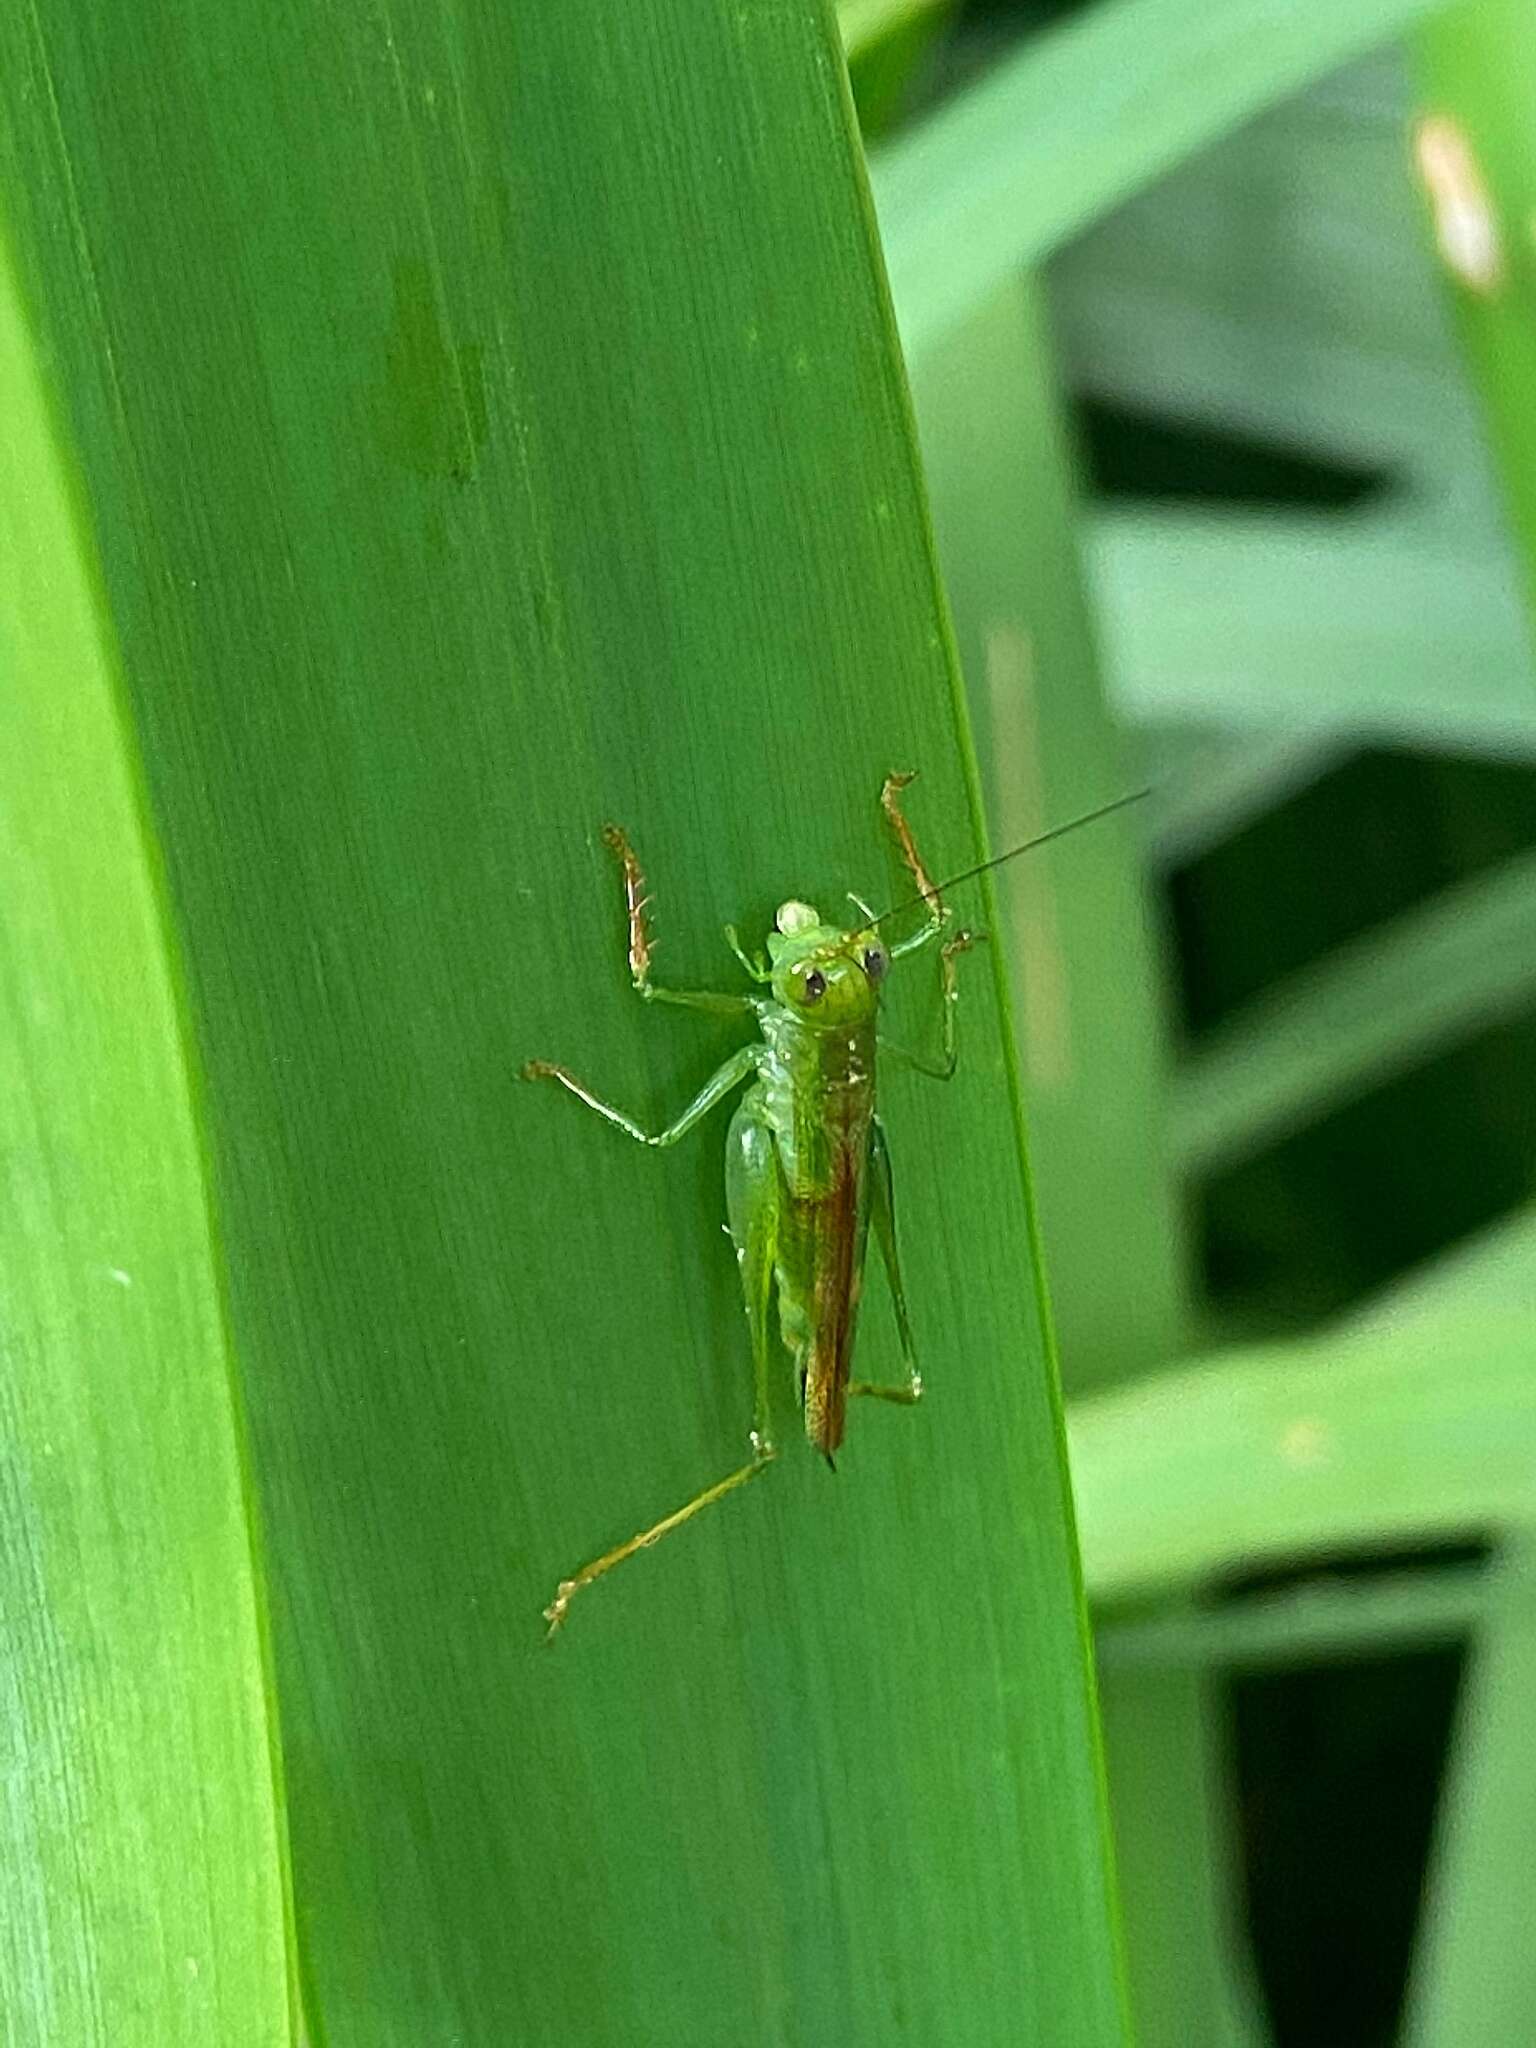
(1086, 994)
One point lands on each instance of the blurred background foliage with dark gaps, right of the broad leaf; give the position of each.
(1289, 366)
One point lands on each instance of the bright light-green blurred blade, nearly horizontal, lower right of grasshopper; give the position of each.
(1377, 1437)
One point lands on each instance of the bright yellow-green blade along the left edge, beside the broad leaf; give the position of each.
(142, 1900)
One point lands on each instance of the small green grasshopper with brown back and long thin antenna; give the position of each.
(806, 1162)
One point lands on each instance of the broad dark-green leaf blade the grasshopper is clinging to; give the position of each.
(554, 468)
